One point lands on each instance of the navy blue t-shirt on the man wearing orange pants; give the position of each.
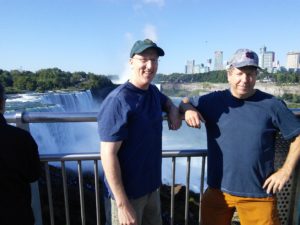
(241, 139)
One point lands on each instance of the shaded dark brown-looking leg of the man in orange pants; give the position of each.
(215, 209)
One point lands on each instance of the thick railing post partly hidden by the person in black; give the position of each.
(35, 193)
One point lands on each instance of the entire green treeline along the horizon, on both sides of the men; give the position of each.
(16, 81)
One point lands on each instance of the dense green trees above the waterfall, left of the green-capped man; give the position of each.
(16, 81)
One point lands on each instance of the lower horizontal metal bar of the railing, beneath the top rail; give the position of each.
(96, 156)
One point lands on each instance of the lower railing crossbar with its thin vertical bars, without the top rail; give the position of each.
(95, 157)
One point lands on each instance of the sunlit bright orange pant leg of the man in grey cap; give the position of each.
(258, 211)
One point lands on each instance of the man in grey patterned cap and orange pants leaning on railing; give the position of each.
(241, 124)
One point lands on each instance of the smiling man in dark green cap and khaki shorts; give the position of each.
(130, 129)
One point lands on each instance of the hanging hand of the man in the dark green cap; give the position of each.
(126, 214)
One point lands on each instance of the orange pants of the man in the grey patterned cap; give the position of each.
(217, 208)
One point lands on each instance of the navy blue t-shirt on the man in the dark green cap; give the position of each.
(134, 116)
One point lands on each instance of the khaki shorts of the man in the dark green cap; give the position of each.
(147, 209)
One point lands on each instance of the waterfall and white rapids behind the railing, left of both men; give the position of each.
(60, 137)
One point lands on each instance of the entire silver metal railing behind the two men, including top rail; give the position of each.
(23, 119)
